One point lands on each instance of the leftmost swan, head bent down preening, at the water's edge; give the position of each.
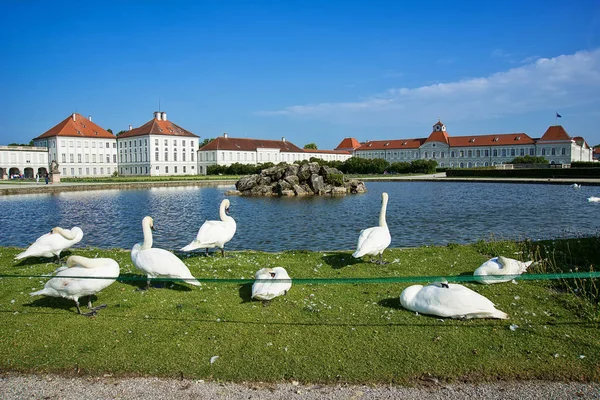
(52, 243)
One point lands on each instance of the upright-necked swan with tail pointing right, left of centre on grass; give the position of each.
(158, 262)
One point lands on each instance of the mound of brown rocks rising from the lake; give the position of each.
(297, 180)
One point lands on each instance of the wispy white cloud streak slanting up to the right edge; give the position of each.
(547, 83)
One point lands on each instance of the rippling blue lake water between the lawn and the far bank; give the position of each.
(419, 213)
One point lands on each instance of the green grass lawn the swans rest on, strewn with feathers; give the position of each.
(355, 333)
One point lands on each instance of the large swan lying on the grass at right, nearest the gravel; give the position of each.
(448, 300)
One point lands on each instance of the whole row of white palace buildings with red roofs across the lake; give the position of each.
(82, 148)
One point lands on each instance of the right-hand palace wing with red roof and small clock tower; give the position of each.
(555, 145)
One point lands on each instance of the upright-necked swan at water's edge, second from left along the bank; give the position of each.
(214, 233)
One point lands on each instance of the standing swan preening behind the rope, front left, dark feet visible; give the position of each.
(77, 284)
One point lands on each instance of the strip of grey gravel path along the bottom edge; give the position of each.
(58, 387)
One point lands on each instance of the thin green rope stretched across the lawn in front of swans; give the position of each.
(321, 281)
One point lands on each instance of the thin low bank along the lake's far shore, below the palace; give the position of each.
(35, 188)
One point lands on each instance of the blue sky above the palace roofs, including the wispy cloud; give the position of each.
(312, 71)
